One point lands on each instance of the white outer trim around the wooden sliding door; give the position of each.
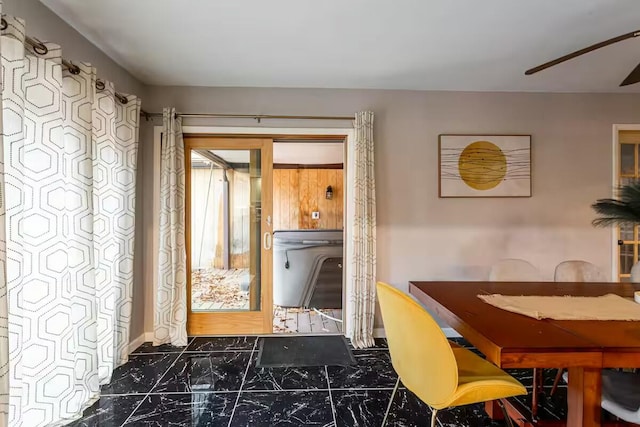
(257, 132)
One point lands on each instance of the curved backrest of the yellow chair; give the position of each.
(420, 352)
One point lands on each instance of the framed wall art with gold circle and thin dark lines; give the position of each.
(485, 166)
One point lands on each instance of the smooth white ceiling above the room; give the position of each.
(402, 44)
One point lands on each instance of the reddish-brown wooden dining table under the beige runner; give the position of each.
(511, 340)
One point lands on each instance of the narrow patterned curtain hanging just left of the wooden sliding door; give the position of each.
(170, 317)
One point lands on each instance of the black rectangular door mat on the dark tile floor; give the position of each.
(287, 352)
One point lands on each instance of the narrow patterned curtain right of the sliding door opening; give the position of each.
(361, 300)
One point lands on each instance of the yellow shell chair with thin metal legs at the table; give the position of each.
(441, 374)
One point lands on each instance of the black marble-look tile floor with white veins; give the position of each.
(215, 382)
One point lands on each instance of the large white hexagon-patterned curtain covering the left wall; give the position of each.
(69, 167)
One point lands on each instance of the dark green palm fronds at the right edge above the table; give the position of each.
(623, 210)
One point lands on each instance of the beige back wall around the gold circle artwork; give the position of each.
(423, 237)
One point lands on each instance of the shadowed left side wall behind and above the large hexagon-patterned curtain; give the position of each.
(45, 25)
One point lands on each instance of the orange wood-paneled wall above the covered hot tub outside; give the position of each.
(298, 192)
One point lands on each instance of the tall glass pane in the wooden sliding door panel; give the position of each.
(225, 230)
